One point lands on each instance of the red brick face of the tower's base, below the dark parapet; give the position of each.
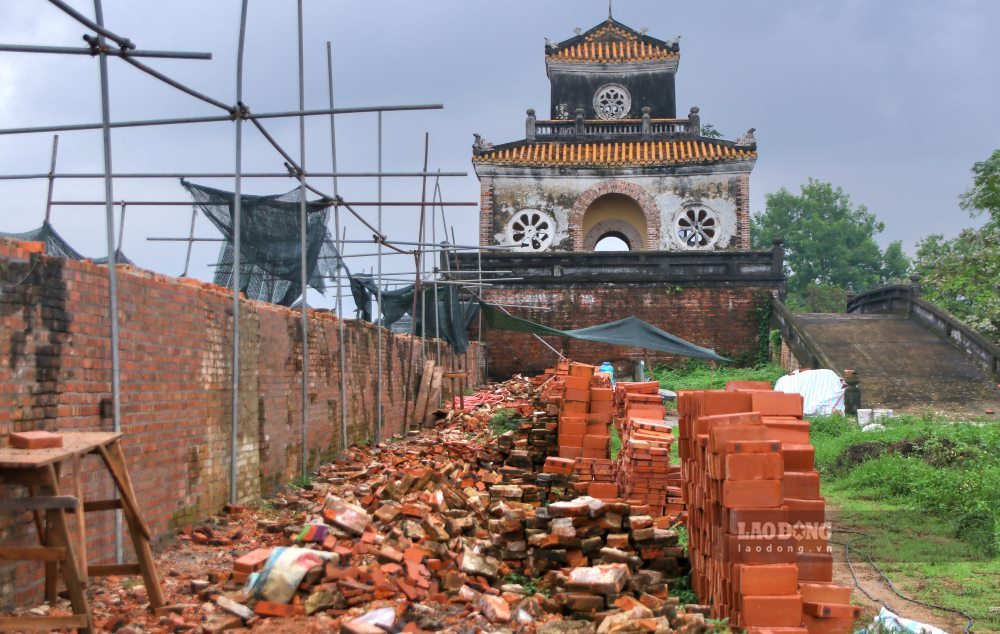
(723, 318)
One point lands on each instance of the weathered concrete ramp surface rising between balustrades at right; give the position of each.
(902, 364)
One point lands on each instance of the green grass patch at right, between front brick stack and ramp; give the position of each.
(921, 498)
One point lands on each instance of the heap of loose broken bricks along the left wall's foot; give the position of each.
(439, 531)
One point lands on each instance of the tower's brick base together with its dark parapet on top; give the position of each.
(711, 299)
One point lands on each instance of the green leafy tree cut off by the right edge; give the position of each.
(962, 275)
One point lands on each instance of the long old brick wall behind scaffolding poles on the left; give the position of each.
(176, 345)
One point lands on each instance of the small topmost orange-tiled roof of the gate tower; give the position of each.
(612, 42)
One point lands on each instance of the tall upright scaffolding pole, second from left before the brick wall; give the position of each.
(234, 422)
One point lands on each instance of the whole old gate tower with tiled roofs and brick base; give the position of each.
(614, 161)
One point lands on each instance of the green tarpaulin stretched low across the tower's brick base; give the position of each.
(630, 331)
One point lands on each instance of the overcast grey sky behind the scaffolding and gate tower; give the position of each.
(891, 100)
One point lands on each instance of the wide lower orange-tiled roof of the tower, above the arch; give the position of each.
(616, 153)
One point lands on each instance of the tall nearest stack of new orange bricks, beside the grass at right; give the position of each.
(757, 541)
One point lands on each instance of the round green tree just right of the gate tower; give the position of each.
(830, 246)
